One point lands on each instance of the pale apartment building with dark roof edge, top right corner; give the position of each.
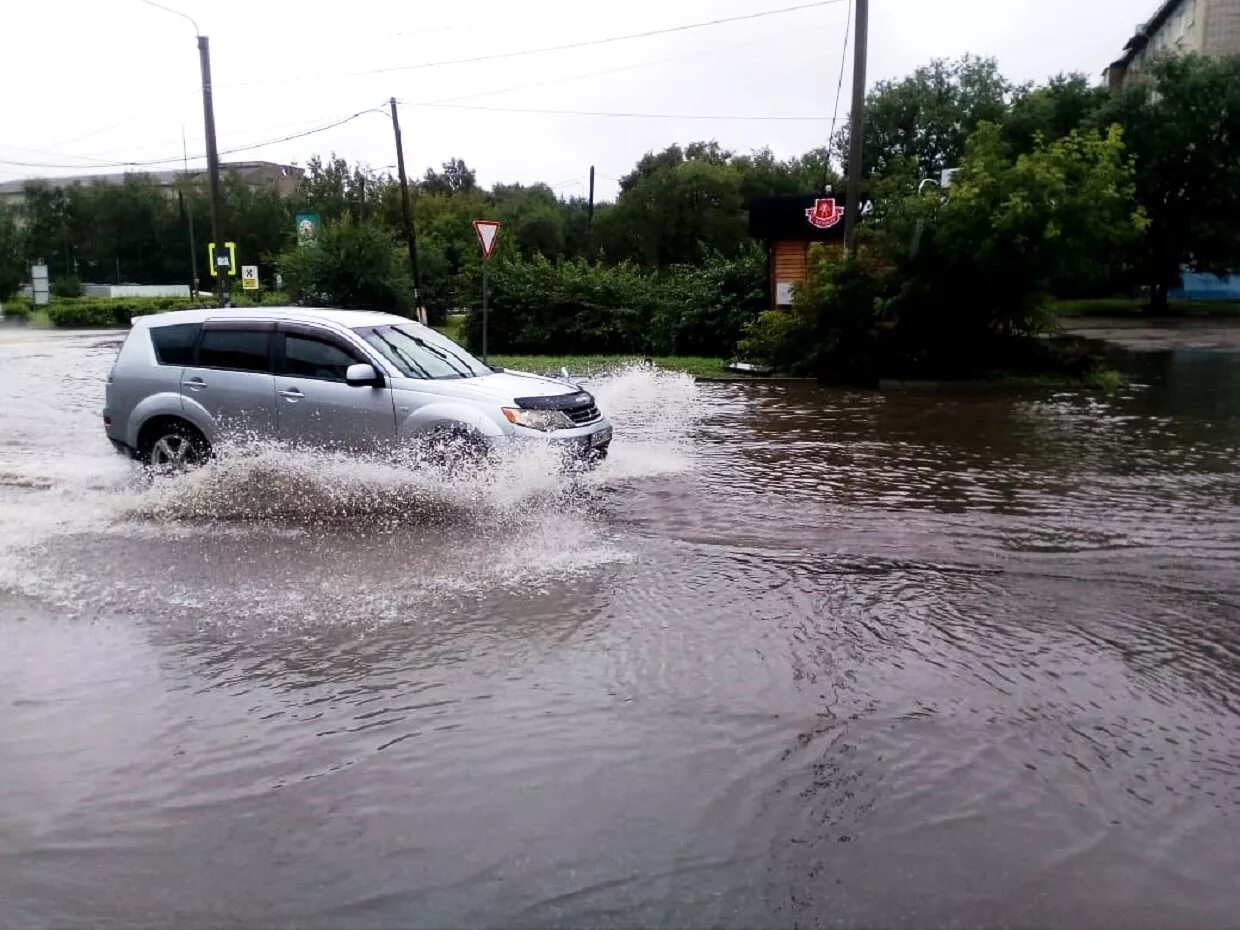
(1206, 27)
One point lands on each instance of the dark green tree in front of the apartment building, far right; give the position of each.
(1182, 127)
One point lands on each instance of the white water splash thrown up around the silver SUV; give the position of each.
(92, 533)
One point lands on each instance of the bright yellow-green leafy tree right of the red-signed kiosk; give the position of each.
(1006, 231)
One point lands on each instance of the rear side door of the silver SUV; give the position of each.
(231, 379)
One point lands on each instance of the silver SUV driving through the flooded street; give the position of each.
(342, 379)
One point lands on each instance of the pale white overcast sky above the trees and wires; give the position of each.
(94, 82)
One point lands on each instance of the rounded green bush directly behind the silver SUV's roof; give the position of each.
(355, 266)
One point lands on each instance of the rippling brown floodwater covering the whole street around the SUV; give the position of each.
(792, 658)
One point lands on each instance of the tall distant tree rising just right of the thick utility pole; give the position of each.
(931, 115)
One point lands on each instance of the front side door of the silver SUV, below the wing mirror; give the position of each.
(316, 406)
